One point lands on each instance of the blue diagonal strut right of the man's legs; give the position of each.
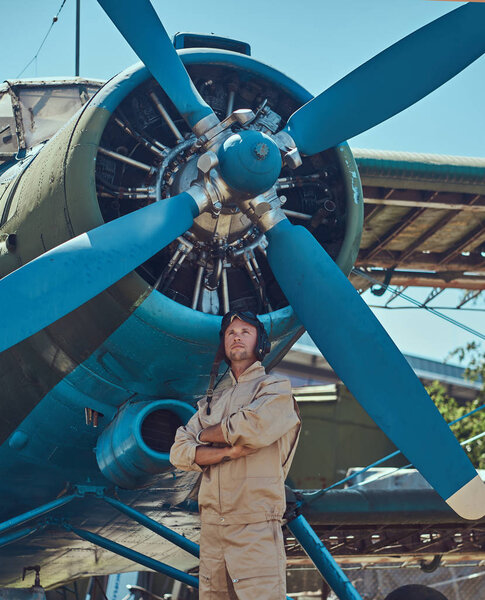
(322, 559)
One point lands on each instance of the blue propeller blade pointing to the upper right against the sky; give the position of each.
(391, 81)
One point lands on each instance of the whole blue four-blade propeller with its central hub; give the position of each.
(241, 168)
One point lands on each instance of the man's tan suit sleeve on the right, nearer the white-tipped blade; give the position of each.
(266, 419)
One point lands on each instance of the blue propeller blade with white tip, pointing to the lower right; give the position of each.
(368, 362)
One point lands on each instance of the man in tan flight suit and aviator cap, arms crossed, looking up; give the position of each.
(243, 440)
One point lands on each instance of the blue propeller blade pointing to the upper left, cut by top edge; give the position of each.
(139, 24)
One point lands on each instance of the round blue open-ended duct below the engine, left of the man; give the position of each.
(136, 444)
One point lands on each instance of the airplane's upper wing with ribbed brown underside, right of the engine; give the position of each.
(424, 219)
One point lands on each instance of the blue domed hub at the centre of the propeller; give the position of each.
(249, 161)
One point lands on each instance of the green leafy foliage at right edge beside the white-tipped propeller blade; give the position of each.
(474, 358)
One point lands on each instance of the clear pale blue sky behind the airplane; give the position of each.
(316, 42)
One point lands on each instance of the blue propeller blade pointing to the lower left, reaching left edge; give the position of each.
(57, 282)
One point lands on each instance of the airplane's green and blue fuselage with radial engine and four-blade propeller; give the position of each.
(178, 191)
